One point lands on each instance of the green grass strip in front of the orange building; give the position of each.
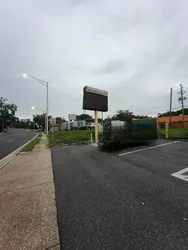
(174, 133)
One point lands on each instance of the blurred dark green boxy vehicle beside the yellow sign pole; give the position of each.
(116, 131)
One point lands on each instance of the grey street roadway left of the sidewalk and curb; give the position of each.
(14, 139)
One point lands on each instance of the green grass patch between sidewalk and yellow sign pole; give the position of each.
(69, 137)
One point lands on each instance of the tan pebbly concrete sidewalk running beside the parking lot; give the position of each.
(27, 202)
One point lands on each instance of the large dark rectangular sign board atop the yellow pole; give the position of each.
(95, 99)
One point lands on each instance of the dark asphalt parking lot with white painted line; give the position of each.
(121, 201)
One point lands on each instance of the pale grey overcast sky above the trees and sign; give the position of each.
(136, 50)
